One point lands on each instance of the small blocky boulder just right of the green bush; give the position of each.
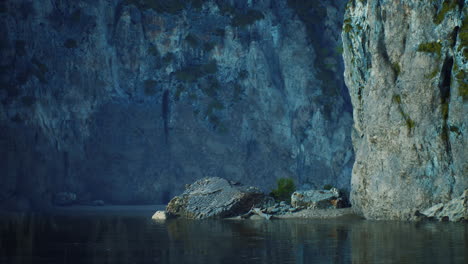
(317, 199)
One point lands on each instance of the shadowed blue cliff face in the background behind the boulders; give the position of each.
(126, 101)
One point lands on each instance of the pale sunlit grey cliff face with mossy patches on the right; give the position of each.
(406, 69)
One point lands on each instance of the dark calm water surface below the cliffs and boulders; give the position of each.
(125, 236)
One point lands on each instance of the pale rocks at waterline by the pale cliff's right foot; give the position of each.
(455, 210)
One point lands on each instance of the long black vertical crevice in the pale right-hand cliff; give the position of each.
(444, 88)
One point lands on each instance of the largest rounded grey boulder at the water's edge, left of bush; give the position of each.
(214, 198)
